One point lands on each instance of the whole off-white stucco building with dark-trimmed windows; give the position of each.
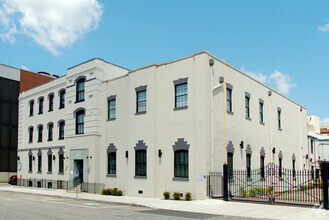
(157, 128)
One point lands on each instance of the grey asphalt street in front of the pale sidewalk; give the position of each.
(29, 206)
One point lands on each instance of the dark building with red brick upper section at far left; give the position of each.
(12, 81)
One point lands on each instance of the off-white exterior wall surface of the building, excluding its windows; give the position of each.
(161, 126)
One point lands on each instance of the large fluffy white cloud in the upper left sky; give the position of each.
(52, 23)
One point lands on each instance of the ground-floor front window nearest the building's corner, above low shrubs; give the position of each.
(181, 163)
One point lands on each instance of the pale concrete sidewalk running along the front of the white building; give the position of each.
(208, 206)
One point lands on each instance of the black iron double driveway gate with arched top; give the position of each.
(275, 185)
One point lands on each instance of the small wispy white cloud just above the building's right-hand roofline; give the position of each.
(281, 81)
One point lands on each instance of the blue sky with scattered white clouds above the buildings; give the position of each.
(282, 43)
